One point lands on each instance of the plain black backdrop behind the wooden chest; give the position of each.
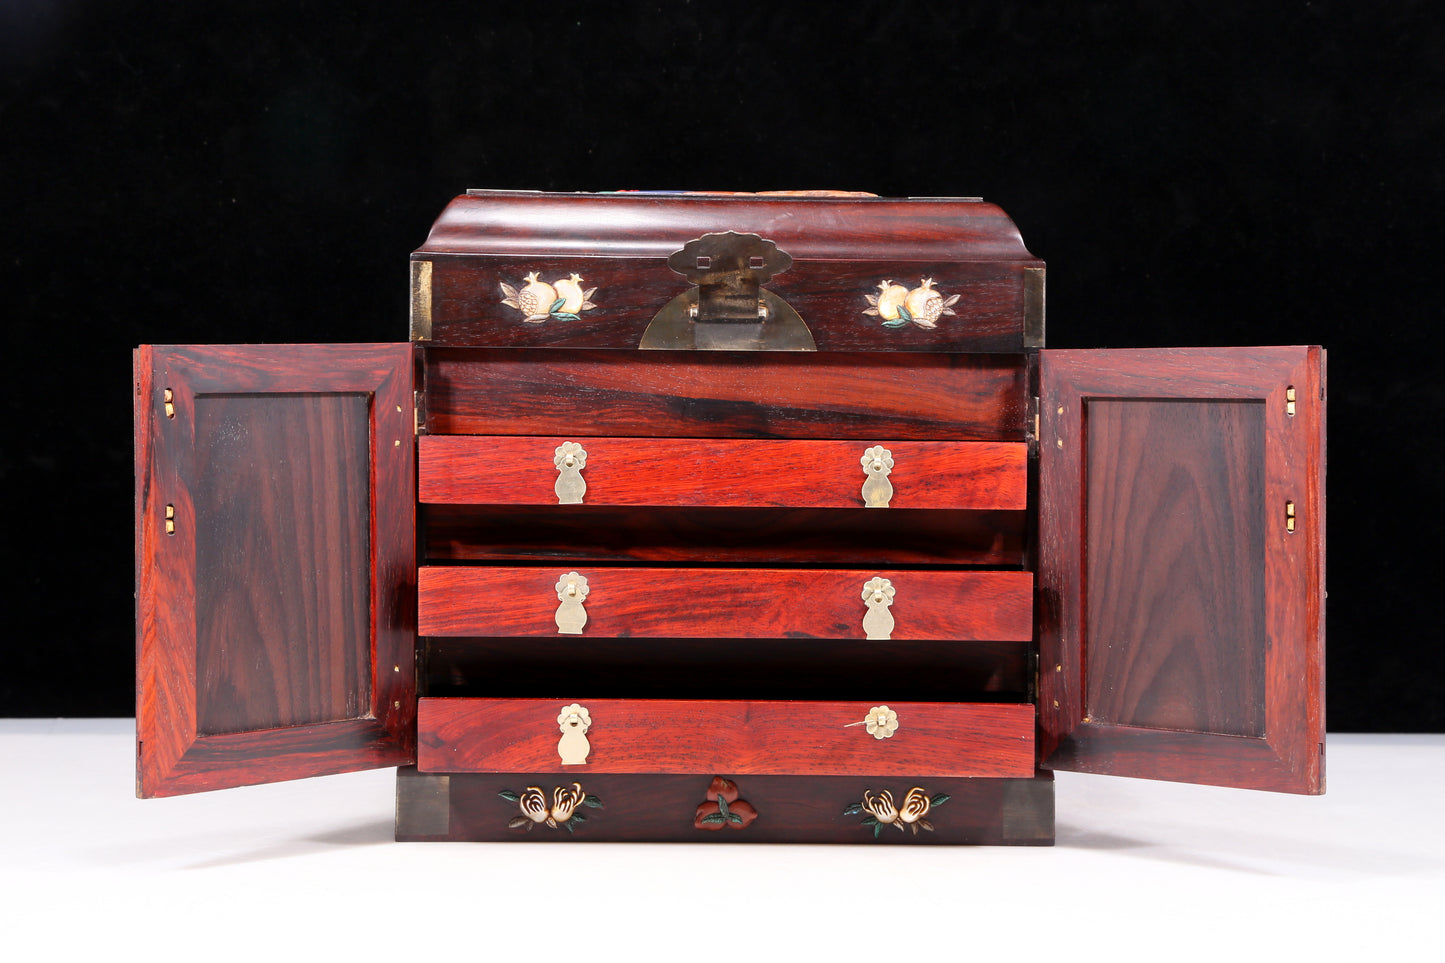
(1193, 173)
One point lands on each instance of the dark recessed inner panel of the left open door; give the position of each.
(281, 500)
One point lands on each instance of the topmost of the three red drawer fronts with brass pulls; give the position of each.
(722, 472)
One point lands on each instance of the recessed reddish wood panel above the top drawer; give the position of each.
(725, 394)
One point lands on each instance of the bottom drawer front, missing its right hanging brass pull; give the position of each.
(732, 738)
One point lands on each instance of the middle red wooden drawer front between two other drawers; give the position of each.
(729, 604)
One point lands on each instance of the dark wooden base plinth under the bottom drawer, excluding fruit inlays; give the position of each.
(658, 809)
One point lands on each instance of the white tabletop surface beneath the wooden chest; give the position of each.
(309, 870)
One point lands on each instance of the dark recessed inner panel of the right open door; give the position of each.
(1176, 565)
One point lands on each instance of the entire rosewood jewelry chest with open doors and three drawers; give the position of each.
(739, 518)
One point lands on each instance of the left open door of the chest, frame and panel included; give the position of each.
(275, 563)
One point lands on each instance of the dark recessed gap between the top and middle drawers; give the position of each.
(827, 539)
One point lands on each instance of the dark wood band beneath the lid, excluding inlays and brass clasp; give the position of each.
(832, 299)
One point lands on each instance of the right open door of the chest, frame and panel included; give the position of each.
(1181, 565)
